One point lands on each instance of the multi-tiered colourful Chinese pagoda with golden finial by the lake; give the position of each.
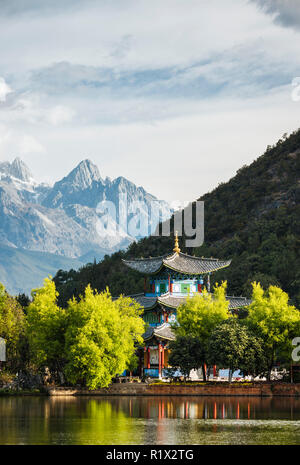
(173, 278)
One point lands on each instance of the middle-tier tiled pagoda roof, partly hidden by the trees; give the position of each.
(171, 301)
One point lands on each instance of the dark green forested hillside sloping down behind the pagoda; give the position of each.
(252, 219)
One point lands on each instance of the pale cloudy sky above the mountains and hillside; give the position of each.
(175, 95)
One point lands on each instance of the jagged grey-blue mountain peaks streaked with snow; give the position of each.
(68, 219)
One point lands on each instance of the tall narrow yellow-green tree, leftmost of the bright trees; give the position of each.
(46, 325)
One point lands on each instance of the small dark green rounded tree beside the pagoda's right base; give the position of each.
(186, 354)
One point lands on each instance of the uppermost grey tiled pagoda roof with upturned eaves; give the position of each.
(180, 262)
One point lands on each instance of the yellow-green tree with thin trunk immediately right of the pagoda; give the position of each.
(198, 316)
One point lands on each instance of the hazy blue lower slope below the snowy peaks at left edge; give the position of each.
(21, 270)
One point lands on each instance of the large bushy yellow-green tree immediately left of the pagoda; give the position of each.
(101, 337)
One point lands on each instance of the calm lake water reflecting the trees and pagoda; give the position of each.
(149, 420)
